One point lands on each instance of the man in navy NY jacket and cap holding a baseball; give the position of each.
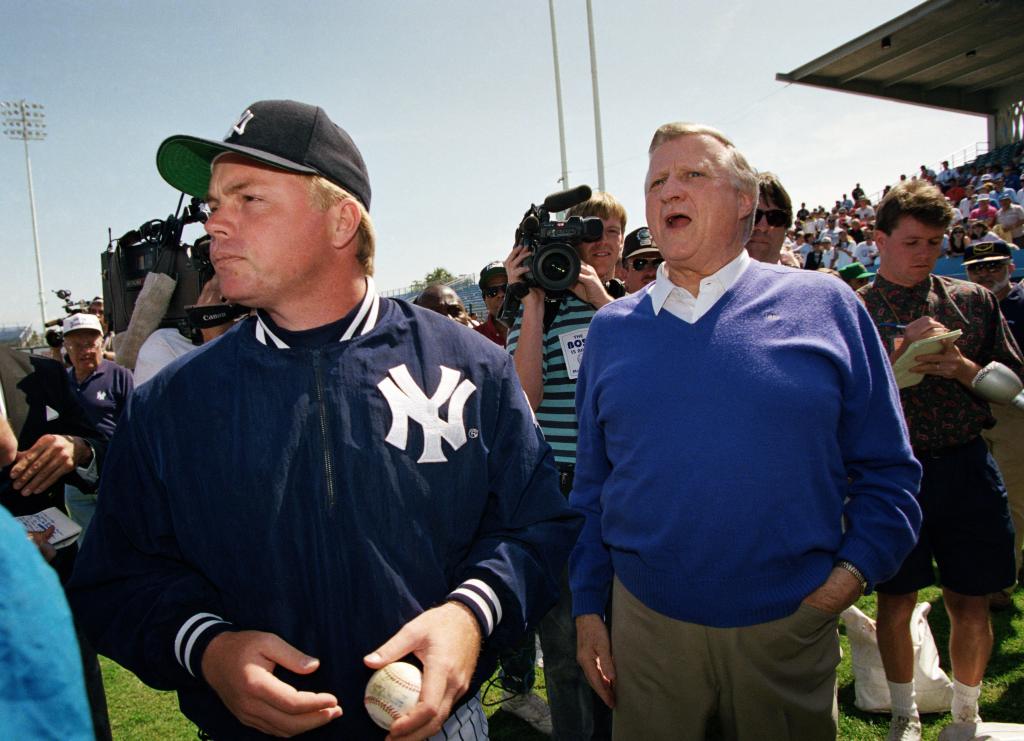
(338, 483)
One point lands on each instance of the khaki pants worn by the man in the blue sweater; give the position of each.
(772, 681)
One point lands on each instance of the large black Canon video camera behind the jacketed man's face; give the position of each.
(156, 247)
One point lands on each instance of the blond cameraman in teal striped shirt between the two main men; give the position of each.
(547, 367)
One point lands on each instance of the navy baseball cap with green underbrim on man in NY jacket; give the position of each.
(289, 136)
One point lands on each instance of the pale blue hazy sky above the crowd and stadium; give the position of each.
(452, 104)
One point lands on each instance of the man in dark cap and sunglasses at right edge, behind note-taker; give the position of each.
(991, 265)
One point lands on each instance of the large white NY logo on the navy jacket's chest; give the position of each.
(408, 402)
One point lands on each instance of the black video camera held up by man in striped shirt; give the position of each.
(554, 260)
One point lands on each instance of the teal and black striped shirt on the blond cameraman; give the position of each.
(557, 415)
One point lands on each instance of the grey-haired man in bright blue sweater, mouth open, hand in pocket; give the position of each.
(728, 570)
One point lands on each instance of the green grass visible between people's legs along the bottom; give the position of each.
(139, 714)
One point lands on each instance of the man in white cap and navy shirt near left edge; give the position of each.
(103, 389)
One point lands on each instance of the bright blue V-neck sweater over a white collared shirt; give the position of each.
(717, 460)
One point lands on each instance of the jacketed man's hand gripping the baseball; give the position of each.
(447, 640)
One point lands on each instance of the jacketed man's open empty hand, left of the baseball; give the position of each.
(240, 669)
